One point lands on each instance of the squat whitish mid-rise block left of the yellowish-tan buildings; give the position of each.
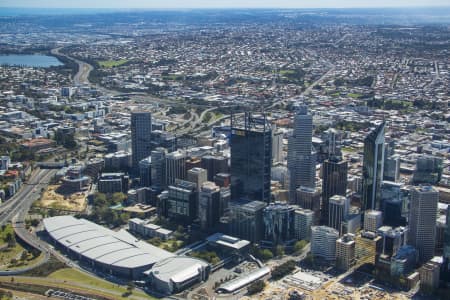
(323, 242)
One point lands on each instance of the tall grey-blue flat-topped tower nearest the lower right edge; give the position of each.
(422, 221)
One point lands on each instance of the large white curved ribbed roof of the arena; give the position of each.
(92, 241)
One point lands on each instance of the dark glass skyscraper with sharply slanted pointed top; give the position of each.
(373, 165)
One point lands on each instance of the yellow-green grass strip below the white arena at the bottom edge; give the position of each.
(76, 276)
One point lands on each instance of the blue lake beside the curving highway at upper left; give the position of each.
(35, 60)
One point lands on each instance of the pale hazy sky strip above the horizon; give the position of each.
(219, 3)
